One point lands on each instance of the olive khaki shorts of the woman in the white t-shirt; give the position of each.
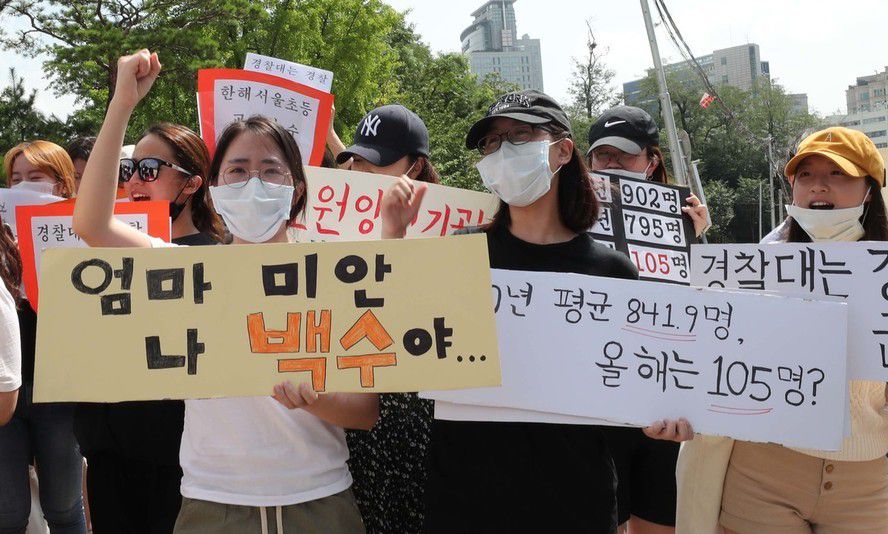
(336, 514)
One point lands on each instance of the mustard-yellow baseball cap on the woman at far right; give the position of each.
(851, 150)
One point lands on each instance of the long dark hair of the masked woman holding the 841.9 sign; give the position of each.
(577, 203)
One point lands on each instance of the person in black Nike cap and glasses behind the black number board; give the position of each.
(625, 140)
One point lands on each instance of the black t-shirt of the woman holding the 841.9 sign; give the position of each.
(517, 477)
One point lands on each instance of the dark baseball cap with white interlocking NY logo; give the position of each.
(387, 134)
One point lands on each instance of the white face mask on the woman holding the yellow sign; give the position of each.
(254, 212)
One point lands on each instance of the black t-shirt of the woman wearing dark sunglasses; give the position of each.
(150, 431)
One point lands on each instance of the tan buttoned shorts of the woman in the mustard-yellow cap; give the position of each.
(770, 489)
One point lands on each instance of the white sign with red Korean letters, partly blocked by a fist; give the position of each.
(345, 206)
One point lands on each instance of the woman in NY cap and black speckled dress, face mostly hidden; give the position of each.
(388, 462)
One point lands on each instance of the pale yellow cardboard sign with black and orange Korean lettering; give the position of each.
(224, 321)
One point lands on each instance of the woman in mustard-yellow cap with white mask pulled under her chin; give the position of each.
(836, 178)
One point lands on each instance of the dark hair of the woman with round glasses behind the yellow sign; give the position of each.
(265, 127)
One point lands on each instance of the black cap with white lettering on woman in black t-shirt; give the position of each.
(530, 106)
